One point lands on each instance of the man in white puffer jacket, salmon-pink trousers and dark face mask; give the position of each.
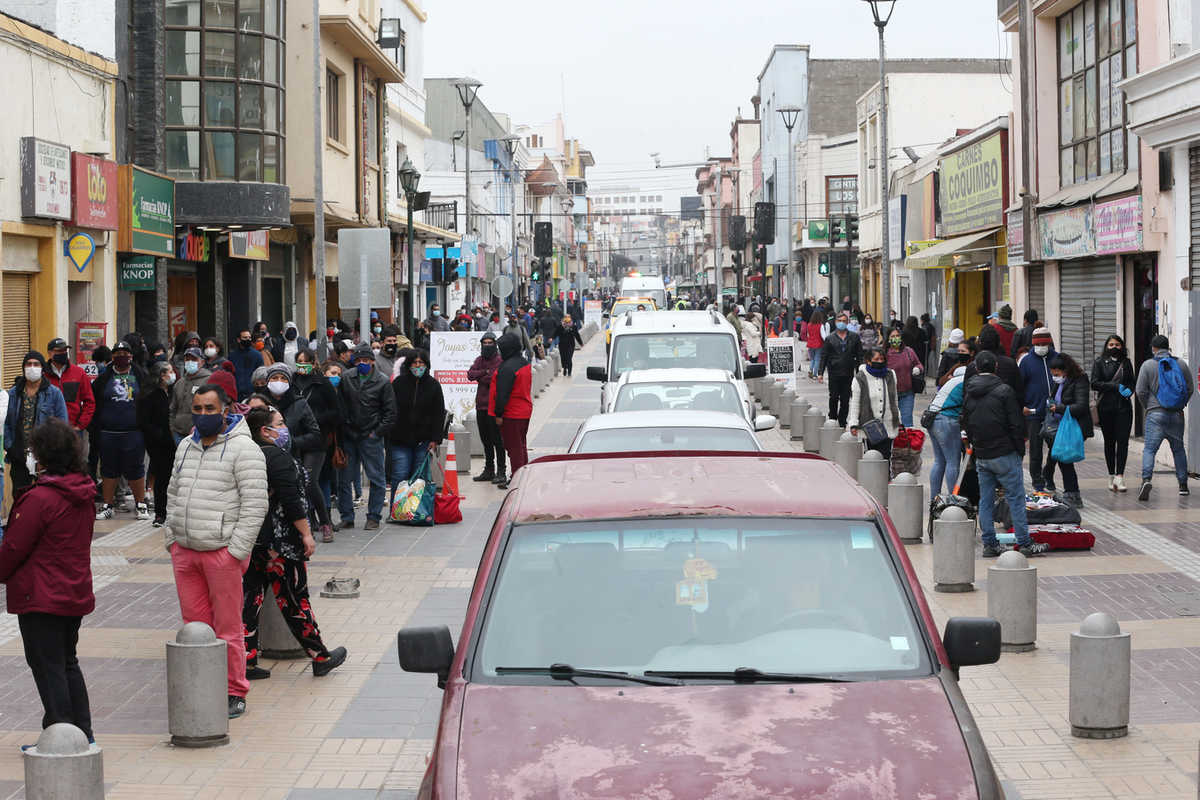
(215, 506)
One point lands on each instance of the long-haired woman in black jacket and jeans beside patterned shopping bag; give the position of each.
(419, 422)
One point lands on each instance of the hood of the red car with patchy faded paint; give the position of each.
(829, 742)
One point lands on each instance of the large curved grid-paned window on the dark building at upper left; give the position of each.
(225, 113)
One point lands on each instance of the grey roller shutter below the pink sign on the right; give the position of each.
(1089, 308)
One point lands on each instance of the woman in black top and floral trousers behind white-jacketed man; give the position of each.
(281, 554)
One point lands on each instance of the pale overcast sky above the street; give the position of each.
(668, 76)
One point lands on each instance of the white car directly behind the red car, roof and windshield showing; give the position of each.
(650, 431)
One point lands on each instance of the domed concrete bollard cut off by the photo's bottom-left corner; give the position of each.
(64, 765)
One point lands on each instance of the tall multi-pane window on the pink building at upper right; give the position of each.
(1097, 49)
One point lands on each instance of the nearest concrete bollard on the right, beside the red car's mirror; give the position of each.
(1100, 679)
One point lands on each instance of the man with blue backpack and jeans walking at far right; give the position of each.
(1165, 388)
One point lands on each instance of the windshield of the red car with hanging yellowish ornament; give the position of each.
(782, 596)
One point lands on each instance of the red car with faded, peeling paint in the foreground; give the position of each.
(711, 625)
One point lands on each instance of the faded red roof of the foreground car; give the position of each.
(605, 486)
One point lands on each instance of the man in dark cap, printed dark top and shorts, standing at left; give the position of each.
(122, 446)
